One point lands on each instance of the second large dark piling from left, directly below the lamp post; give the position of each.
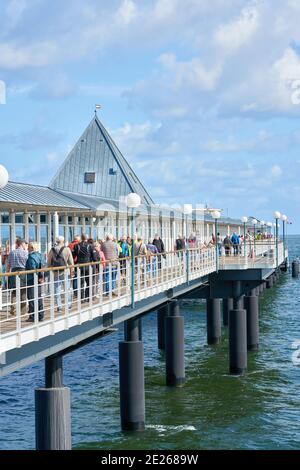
(131, 374)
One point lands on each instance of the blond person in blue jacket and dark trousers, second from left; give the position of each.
(34, 261)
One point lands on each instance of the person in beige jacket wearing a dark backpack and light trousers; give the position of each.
(60, 256)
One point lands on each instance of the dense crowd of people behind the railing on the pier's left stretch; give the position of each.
(80, 254)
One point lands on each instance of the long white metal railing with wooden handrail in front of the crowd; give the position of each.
(39, 303)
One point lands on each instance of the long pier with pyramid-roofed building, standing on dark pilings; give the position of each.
(95, 192)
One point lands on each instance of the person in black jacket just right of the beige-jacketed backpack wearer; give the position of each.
(84, 254)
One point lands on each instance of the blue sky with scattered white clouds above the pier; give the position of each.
(201, 96)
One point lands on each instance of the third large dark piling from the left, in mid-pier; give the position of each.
(174, 324)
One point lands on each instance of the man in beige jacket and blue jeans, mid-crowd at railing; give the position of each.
(111, 253)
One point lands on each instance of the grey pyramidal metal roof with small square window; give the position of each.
(96, 167)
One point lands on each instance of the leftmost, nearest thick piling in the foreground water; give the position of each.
(52, 409)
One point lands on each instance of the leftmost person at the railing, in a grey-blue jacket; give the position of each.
(16, 262)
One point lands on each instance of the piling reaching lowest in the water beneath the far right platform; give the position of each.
(237, 333)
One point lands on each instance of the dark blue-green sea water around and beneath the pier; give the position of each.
(260, 410)
